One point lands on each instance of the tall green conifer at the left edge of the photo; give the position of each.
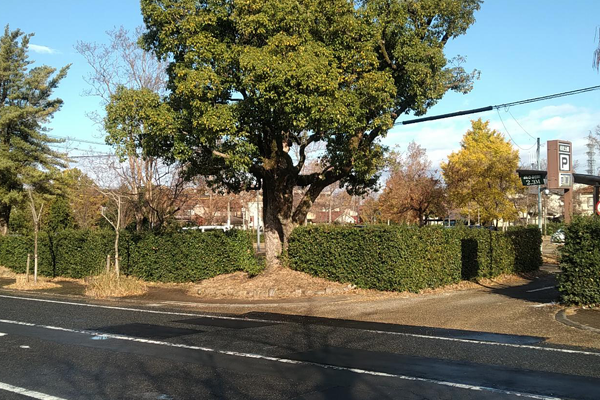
(25, 107)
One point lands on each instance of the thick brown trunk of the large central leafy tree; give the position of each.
(277, 220)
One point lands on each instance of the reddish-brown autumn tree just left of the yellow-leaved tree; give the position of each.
(413, 191)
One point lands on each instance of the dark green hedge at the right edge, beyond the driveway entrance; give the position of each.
(579, 282)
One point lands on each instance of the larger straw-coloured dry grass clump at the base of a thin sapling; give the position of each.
(111, 285)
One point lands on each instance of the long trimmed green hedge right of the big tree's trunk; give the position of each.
(408, 258)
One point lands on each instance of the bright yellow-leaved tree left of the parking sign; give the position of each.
(481, 177)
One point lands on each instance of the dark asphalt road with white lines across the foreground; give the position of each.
(53, 349)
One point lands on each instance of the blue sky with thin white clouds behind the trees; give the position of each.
(523, 48)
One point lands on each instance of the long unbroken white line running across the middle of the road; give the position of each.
(284, 361)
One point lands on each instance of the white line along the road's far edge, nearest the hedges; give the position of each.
(431, 337)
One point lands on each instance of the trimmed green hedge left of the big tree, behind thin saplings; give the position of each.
(176, 257)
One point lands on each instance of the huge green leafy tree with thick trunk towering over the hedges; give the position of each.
(250, 79)
